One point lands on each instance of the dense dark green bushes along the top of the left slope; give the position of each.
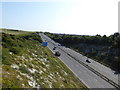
(16, 44)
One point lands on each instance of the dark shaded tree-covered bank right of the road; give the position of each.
(103, 49)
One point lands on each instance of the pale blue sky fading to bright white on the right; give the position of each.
(83, 17)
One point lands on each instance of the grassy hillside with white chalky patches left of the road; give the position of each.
(27, 64)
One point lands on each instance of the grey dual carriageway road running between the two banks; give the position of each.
(70, 58)
